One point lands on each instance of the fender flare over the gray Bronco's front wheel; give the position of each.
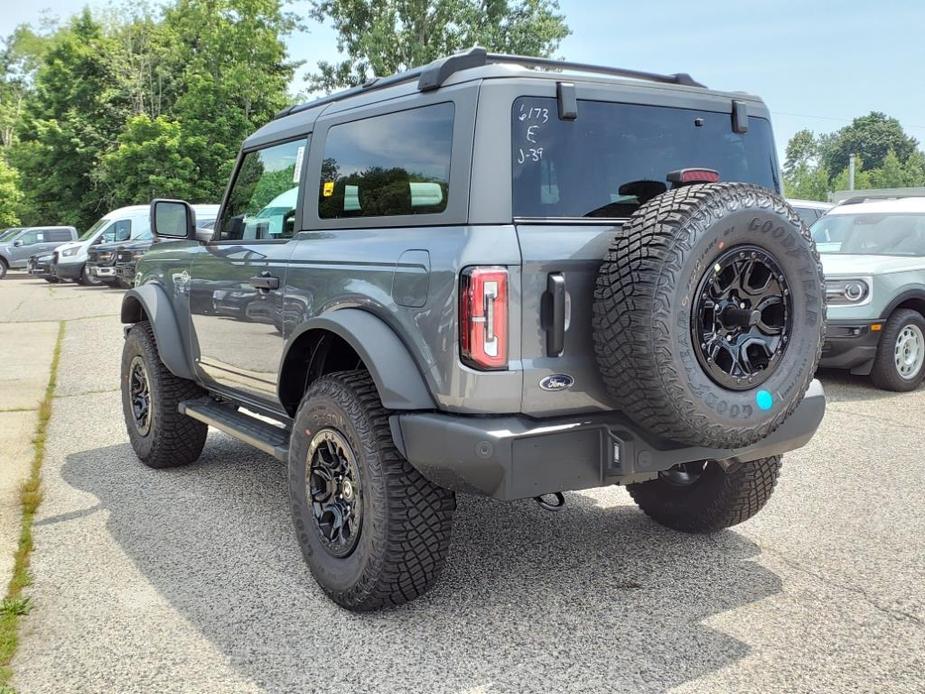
(151, 301)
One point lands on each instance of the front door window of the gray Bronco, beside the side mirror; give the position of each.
(262, 201)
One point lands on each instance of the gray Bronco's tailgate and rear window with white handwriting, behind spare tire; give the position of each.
(578, 173)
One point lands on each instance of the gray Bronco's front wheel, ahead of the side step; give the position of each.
(151, 394)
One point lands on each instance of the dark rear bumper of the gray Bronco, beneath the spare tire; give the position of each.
(513, 457)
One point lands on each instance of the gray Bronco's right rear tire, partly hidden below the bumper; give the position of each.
(704, 497)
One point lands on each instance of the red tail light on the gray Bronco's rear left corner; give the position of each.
(483, 329)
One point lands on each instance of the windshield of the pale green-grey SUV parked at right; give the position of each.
(871, 234)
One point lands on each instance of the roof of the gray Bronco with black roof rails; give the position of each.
(475, 64)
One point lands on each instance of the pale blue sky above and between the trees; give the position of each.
(816, 64)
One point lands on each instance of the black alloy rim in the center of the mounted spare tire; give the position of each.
(741, 318)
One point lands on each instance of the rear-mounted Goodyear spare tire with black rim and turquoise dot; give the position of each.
(709, 314)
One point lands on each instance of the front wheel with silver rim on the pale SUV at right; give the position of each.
(901, 353)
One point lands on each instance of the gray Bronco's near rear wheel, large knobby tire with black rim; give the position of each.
(373, 531)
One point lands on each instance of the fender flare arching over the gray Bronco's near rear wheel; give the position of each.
(395, 373)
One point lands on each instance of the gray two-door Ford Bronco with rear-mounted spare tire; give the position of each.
(491, 277)
